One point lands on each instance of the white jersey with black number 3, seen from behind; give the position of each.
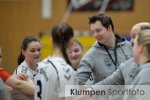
(52, 76)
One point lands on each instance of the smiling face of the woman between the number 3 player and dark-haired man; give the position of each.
(75, 54)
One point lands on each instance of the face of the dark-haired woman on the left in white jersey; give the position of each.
(33, 52)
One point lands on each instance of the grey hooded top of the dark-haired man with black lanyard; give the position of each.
(100, 61)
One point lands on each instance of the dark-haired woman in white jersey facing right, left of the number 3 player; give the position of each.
(27, 60)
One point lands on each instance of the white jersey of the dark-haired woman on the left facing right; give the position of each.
(23, 67)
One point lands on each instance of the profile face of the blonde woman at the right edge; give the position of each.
(136, 50)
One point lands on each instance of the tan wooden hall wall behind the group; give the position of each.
(19, 18)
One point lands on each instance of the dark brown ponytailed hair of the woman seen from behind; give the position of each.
(61, 34)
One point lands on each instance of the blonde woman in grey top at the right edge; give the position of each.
(141, 54)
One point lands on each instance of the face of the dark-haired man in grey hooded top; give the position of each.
(99, 32)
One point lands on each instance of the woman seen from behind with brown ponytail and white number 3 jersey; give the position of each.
(55, 72)
